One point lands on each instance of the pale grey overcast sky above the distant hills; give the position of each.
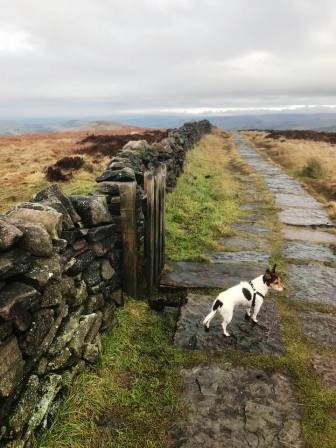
(84, 57)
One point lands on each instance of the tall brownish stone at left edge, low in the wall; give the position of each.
(11, 366)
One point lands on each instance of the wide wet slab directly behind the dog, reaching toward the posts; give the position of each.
(207, 275)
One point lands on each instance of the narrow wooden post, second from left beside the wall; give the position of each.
(149, 232)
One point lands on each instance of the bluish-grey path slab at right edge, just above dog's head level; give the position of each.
(300, 251)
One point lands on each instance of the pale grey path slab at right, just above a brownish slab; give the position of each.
(304, 217)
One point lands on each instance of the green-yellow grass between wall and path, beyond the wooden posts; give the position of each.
(204, 203)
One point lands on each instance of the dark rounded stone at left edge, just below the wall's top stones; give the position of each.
(14, 262)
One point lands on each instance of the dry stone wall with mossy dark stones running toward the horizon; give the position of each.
(60, 281)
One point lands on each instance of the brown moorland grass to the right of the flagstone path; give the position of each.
(312, 161)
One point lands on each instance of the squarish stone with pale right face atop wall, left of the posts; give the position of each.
(93, 210)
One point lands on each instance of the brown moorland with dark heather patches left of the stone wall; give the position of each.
(25, 159)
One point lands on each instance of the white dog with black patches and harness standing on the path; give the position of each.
(248, 294)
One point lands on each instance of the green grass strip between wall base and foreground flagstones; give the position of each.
(132, 396)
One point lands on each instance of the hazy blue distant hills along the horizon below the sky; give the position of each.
(320, 121)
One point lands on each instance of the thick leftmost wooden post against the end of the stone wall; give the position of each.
(129, 237)
